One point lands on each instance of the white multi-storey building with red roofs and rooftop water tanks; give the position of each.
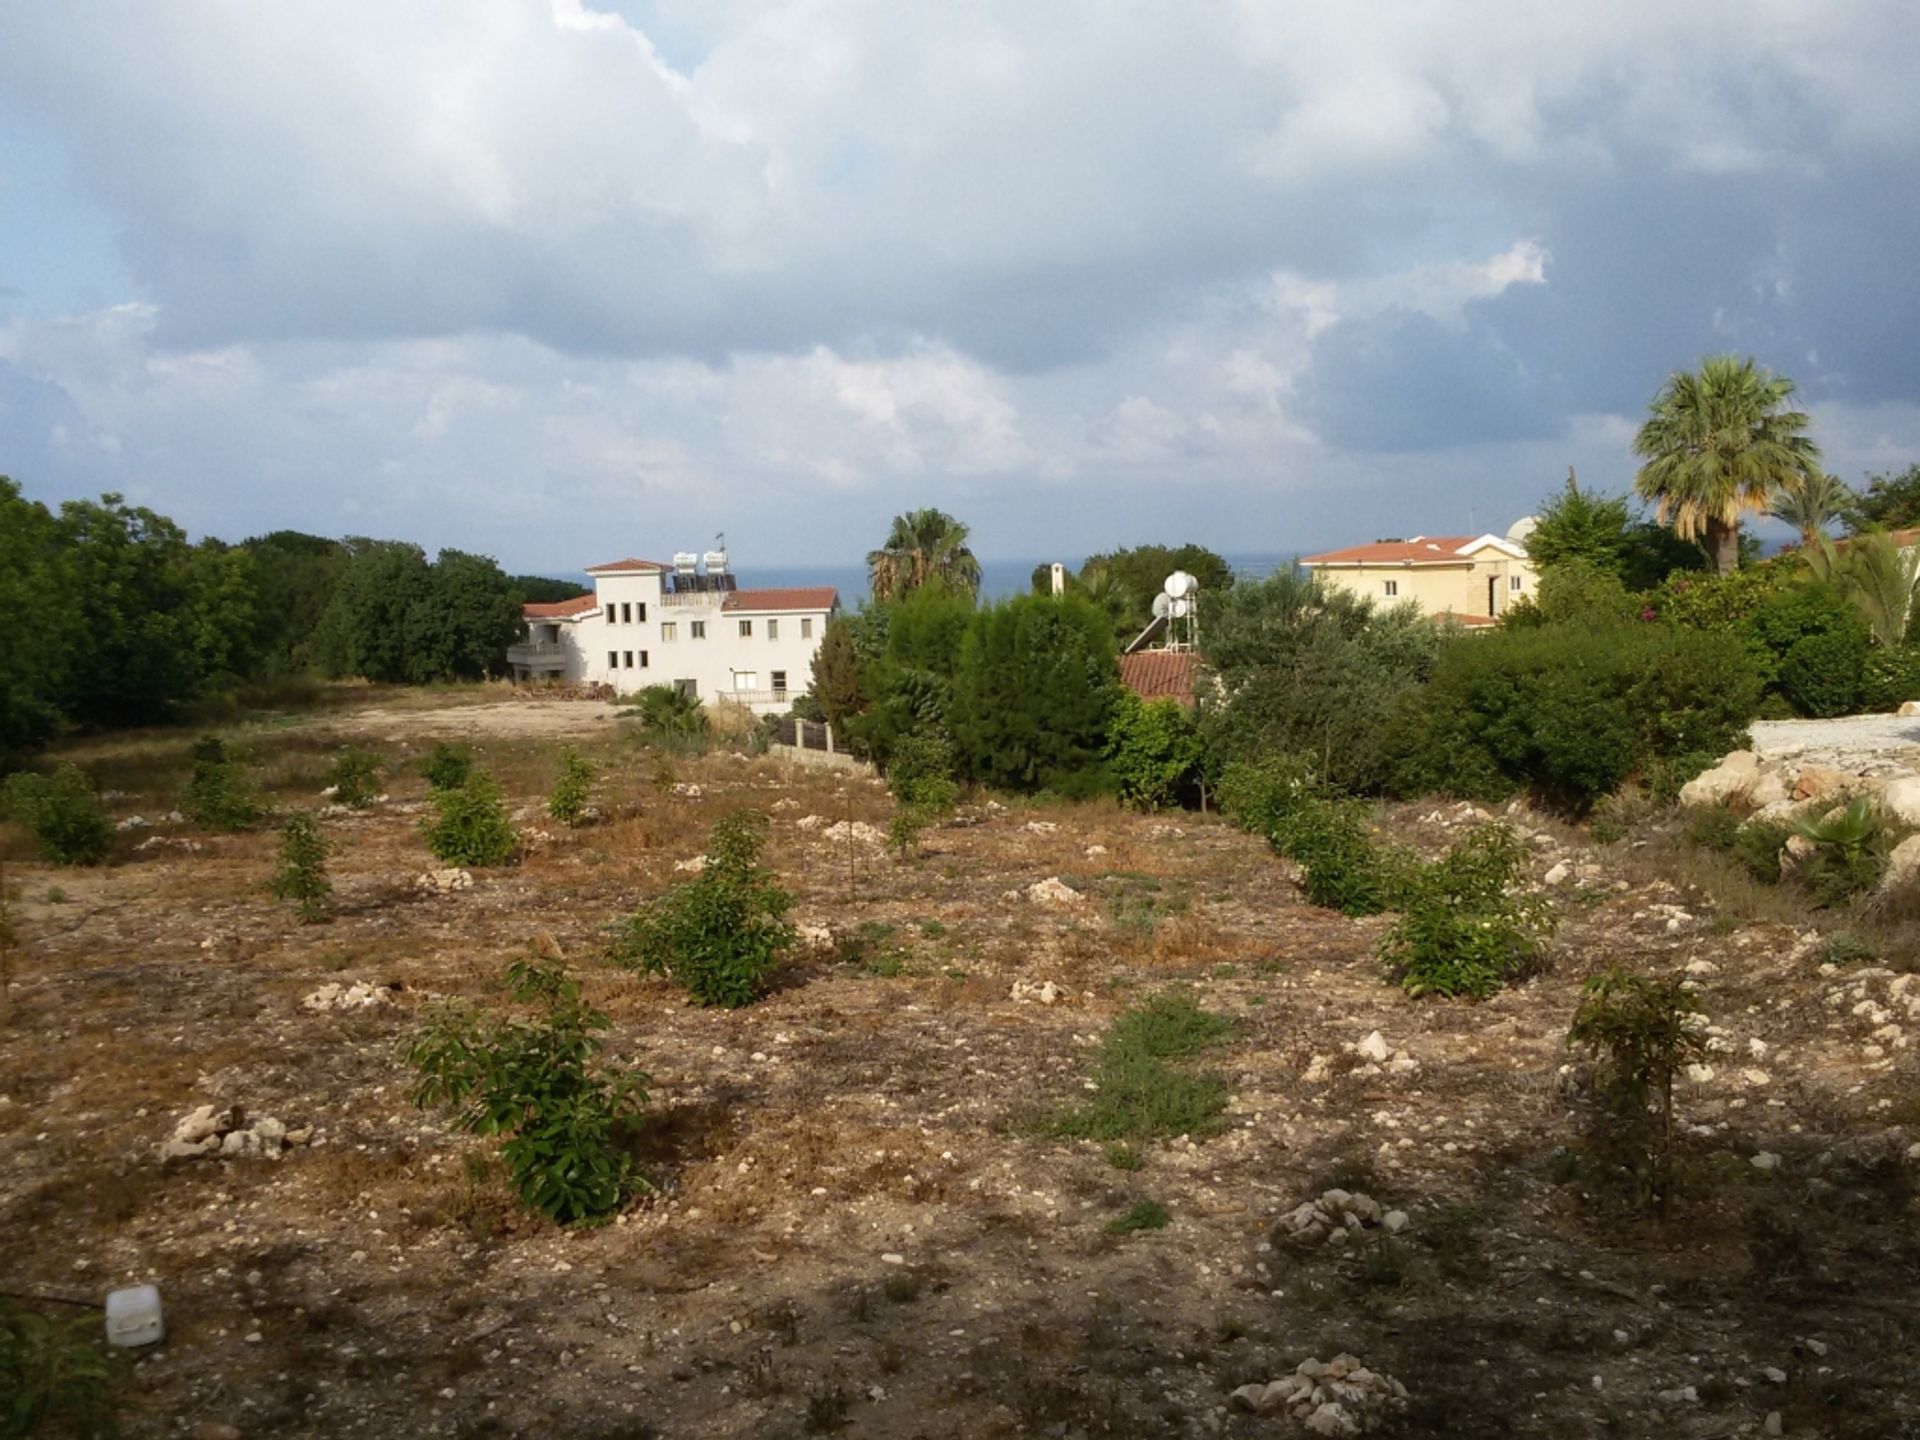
(683, 625)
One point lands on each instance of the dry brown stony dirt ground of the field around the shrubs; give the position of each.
(855, 1228)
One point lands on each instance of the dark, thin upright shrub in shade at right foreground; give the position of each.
(1641, 1034)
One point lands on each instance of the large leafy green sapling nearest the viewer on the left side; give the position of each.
(542, 1084)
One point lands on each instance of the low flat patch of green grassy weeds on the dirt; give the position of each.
(1140, 1093)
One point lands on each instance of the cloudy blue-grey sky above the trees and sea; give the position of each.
(562, 279)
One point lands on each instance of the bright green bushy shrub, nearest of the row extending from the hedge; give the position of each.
(1462, 930)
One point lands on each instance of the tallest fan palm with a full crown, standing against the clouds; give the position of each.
(1717, 446)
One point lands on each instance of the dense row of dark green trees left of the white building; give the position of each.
(118, 619)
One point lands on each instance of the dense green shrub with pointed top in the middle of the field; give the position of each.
(721, 934)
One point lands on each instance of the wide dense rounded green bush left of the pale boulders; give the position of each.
(1572, 713)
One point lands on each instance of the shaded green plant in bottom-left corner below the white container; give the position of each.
(57, 1378)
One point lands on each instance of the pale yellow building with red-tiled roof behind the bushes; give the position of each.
(1468, 579)
